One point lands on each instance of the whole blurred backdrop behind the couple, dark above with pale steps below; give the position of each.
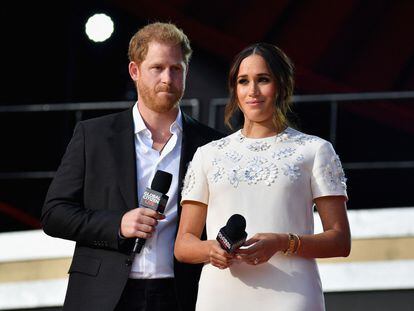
(355, 81)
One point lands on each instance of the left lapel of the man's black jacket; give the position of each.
(123, 149)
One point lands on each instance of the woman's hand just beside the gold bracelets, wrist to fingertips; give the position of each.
(262, 247)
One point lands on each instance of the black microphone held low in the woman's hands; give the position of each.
(232, 235)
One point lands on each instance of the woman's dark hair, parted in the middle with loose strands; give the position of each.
(282, 70)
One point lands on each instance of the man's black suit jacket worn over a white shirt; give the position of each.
(93, 188)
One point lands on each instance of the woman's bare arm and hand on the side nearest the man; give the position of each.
(188, 246)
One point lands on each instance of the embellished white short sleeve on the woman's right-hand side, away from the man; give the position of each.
(327, 176)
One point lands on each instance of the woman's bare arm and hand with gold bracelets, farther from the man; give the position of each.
(334, 241)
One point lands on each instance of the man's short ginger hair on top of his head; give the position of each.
(158, 32)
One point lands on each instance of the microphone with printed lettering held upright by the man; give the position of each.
(154, 198)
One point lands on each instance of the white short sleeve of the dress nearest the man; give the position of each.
(195, 186)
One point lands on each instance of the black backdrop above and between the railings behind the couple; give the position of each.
(337, 46)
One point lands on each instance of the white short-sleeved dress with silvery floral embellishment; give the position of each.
(271, 182)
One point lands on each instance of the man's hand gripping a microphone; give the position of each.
(140, 223)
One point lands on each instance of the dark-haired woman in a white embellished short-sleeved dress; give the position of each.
(273, 175)
